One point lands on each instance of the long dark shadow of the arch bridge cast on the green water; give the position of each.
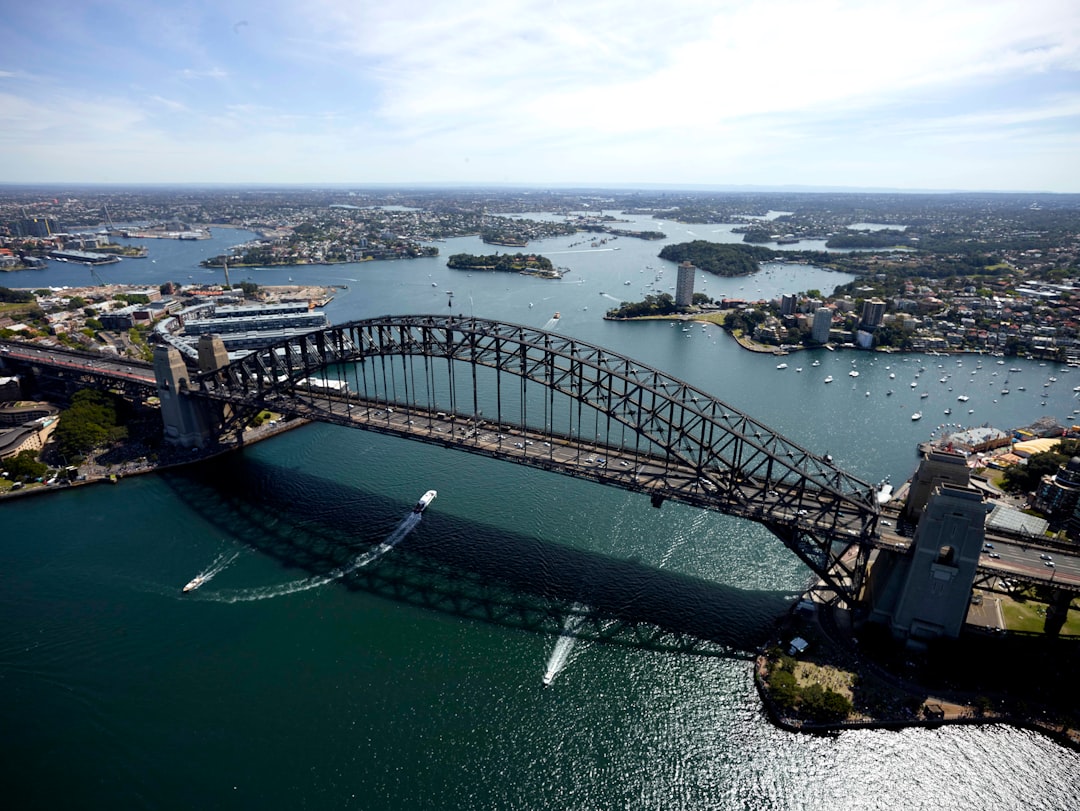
(470, 570)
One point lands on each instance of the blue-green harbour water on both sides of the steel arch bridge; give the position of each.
(308, 673)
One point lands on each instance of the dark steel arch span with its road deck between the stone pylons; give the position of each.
(557, 403)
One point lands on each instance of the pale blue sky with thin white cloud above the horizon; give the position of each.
(919, 94)
